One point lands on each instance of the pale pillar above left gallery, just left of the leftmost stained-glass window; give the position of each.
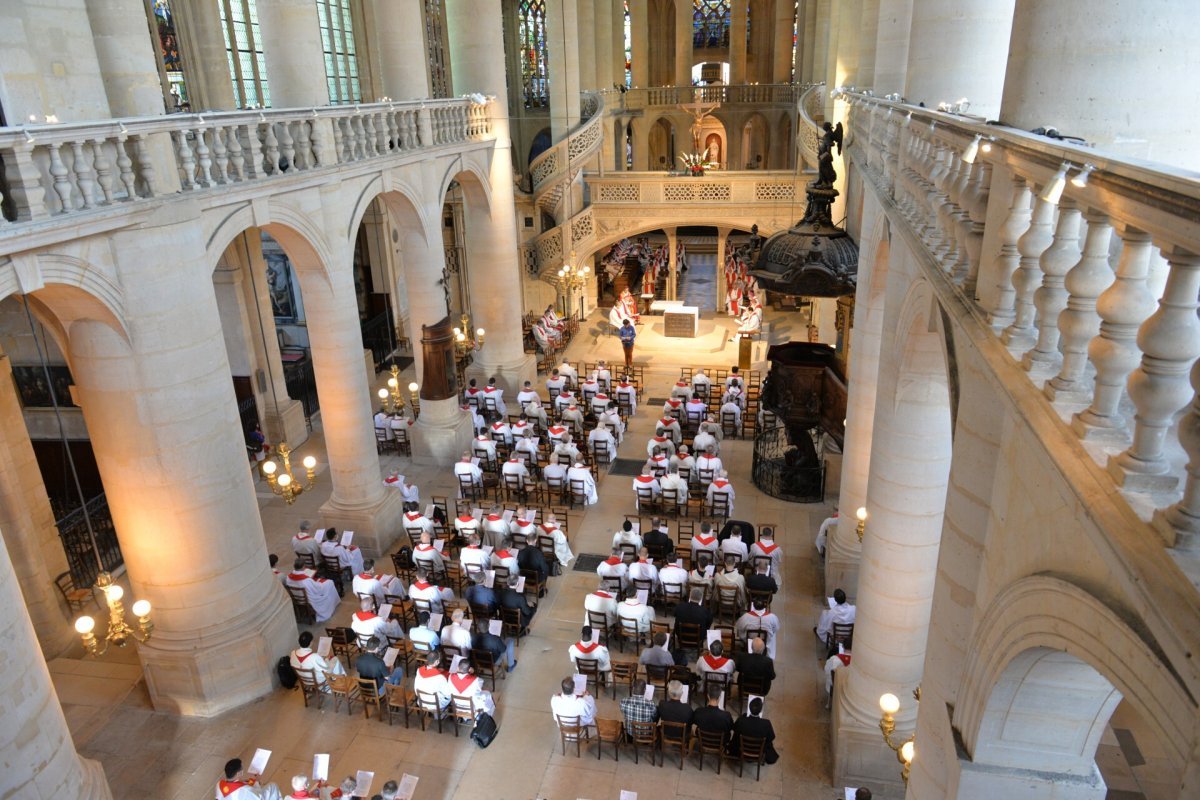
(128, 57)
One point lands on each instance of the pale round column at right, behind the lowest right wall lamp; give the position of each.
(907, 500)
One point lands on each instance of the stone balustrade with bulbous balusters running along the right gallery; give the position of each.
(1091, 280)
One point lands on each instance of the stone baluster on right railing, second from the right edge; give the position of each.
(1159, 388)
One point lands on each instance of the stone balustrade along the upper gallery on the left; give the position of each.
(59, 171)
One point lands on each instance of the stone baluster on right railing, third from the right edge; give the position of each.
(1123, 309)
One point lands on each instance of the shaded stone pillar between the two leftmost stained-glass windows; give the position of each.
(202, 49)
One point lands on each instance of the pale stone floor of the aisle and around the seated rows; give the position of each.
(152, 755)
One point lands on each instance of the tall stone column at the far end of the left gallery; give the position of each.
(478, 58)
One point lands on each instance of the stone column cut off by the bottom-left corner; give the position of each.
(39, 754)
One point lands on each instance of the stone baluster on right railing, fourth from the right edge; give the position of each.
(1079, 322)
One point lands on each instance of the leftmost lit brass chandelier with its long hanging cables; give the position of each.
(119, 633)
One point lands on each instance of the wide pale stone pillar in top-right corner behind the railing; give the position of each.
(1072, 63)
